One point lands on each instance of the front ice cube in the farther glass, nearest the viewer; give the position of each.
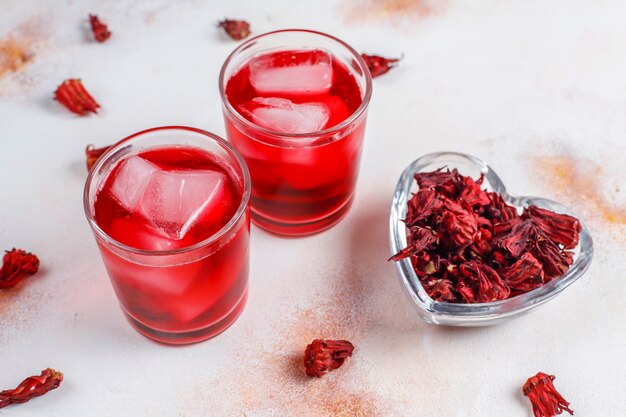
(284, 116)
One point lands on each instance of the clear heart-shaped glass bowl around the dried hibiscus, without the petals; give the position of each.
(480, 314)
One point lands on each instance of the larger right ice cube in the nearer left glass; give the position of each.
(176, 200)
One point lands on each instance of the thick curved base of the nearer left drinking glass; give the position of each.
(195, 336)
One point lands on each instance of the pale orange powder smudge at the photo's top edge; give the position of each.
(391, 9)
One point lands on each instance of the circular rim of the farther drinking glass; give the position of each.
(325, 132)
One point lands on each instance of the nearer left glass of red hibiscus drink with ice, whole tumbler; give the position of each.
(169, 208)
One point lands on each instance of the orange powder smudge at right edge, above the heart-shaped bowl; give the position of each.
(581, 184)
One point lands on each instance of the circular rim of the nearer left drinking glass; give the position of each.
(234, 220)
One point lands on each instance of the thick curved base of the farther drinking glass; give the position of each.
(301, 228)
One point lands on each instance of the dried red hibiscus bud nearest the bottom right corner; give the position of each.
(545, 399)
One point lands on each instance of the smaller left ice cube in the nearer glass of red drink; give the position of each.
(130, 182)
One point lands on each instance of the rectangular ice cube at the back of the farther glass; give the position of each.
(292, 73)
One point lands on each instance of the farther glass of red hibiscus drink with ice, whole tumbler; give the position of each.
(295, 106)
